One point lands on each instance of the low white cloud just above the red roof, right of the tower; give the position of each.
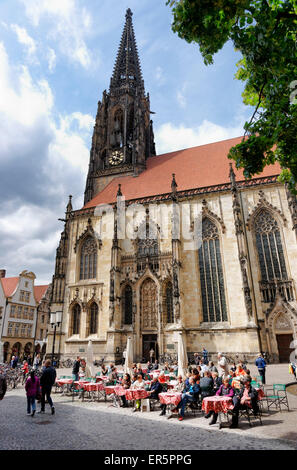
(170, 137)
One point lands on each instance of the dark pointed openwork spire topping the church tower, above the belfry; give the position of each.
(127, 71)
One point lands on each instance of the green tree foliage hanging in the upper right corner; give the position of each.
(264, 31)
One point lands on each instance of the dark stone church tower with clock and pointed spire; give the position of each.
(123, 135)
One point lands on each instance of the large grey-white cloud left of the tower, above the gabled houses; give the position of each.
(46, 159)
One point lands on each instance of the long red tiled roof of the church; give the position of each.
(196, 167)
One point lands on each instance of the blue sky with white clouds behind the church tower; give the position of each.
(56, 58)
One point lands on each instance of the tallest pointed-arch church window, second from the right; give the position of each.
(211, 274)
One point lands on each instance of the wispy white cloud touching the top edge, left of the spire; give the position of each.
(69, 26)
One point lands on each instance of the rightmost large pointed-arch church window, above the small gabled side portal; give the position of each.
(269, 247)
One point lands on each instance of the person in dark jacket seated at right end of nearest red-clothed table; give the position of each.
(247, 398)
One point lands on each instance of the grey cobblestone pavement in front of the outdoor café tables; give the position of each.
(92, 425)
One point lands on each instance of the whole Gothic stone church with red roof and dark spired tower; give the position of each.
(174, 245)
